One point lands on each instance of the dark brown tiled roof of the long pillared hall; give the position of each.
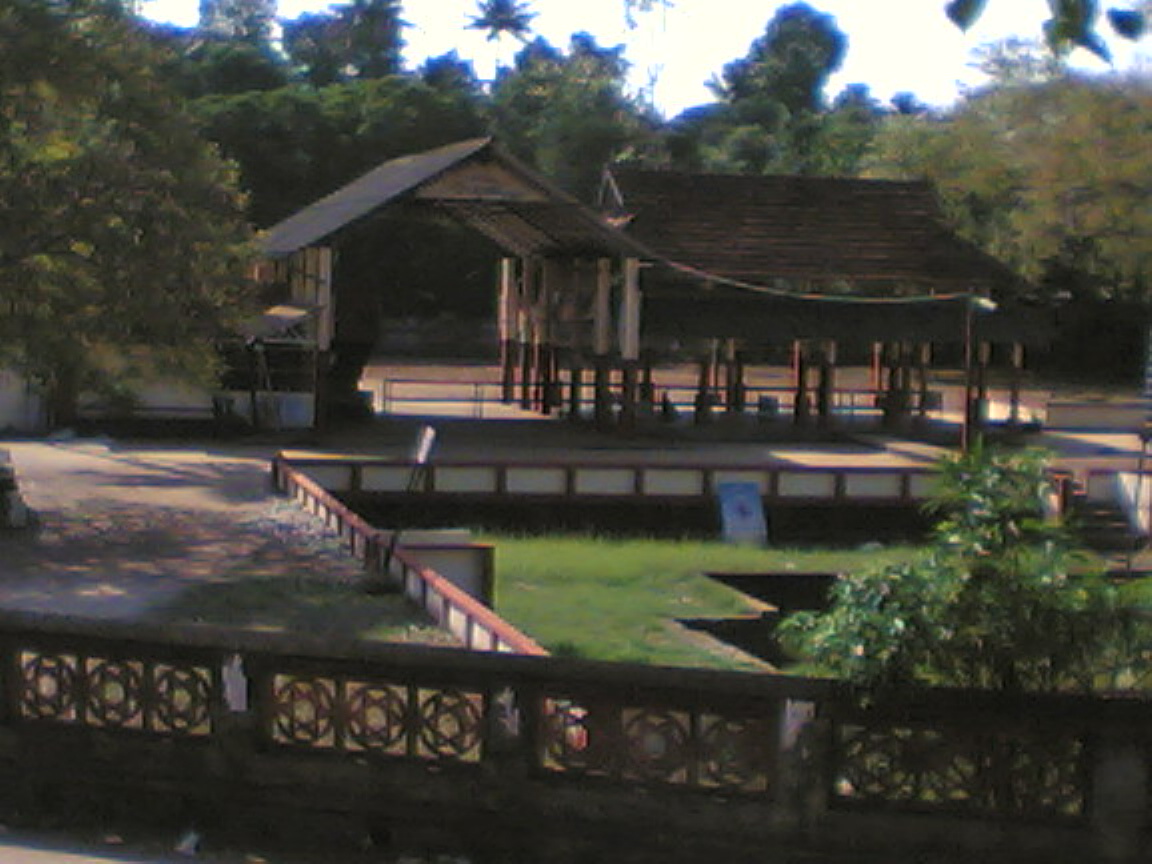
(759, 230)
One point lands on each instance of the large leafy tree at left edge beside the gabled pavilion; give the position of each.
(120, 229)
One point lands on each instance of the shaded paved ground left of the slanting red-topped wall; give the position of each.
(172, 533)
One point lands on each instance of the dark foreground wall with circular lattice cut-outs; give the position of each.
(537, 759)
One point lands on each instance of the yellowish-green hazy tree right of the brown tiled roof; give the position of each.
(1050, 176)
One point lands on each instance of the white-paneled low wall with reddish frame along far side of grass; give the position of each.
(804, 504)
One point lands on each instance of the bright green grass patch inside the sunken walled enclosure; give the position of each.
(620, 600)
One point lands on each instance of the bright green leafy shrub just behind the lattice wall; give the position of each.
(994, 604)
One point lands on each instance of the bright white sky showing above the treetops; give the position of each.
(893, 46)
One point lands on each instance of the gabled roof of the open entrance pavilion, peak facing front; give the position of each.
(474, 181)
